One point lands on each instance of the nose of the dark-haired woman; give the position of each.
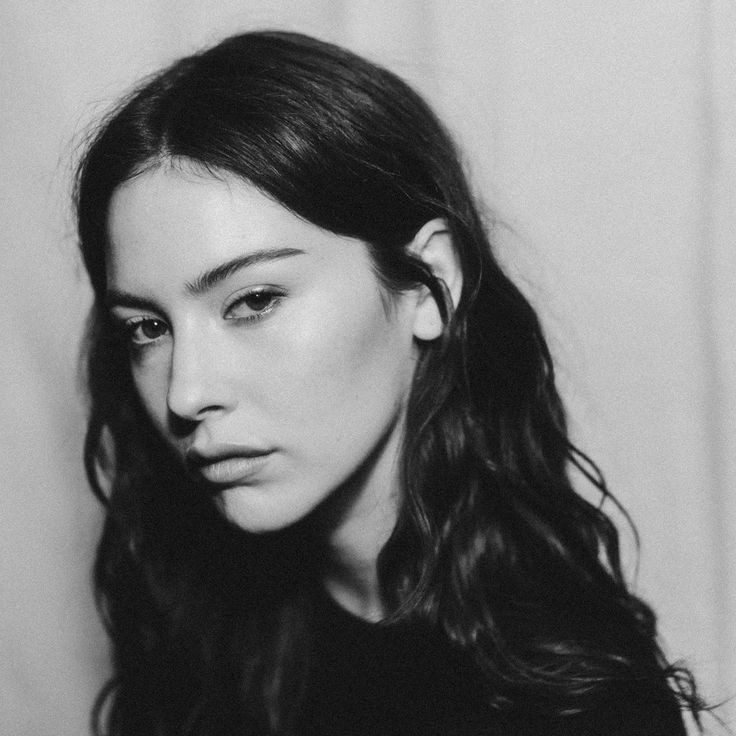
(197, 385)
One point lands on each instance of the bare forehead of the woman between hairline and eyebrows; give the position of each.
(168, 224)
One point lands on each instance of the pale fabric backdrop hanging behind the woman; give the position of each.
(602, 133)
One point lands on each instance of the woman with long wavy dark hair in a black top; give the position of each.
(326, 431)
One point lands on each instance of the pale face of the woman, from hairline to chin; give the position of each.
(260, 346)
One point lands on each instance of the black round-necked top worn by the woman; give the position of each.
(374, 680)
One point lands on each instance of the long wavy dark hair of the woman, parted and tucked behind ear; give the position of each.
(493, 546)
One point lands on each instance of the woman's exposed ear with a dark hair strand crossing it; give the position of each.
(433, 245)
